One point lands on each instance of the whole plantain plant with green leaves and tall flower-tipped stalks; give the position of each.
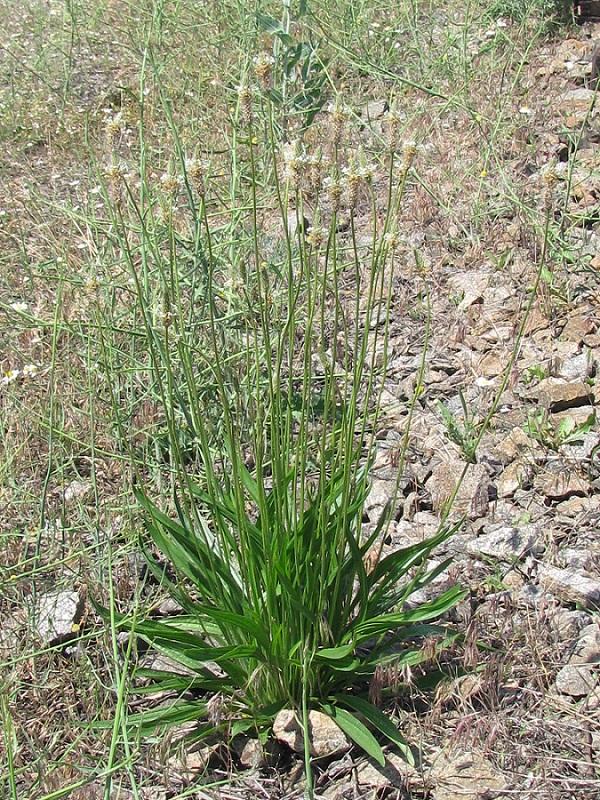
(266, 343)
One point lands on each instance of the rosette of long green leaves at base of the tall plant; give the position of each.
(290, 618)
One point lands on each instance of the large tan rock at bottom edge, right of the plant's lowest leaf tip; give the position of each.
(466, 774)
